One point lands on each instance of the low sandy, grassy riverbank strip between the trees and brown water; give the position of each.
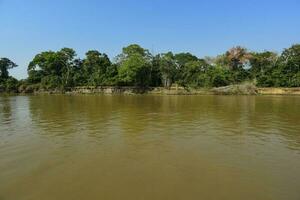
(242, 89)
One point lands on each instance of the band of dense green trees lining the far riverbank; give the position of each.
(136, 66)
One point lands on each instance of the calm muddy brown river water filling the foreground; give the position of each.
(149, 147)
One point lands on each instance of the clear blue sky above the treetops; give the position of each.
(200, 27)
